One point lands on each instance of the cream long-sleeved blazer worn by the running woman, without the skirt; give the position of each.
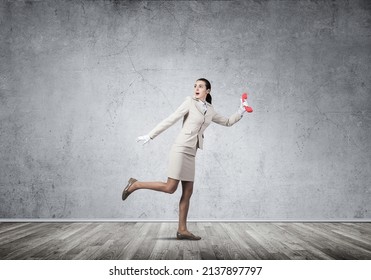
(194, 124)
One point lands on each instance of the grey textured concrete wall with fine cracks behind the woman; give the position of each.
(80, 80)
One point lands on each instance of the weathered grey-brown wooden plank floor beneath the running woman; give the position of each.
(121, 240)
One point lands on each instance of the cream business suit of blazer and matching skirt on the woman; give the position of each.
(195, 121)
